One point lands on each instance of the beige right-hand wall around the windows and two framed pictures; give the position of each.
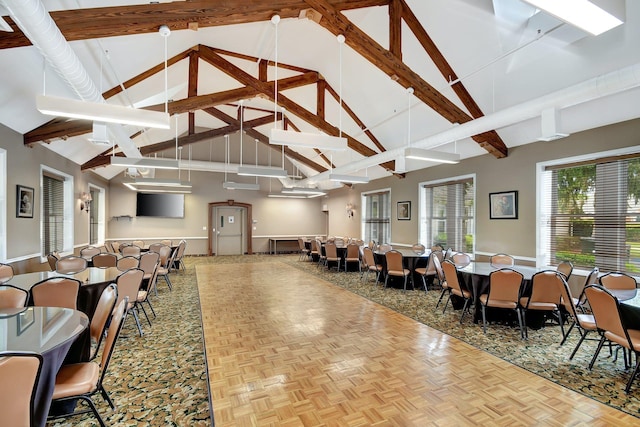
(515, 172)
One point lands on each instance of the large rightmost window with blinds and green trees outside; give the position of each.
(590, 213)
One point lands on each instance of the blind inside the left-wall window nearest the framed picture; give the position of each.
(52, 214)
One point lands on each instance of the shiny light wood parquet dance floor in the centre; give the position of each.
(285, 348)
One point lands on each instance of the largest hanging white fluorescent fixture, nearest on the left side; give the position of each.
(101, 112)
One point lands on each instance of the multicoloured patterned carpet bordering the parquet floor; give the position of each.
(160, 379)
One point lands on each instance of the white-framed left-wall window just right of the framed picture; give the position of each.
(57, 212)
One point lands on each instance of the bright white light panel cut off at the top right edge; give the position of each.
(580, 13)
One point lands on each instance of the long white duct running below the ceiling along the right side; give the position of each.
(598, 87)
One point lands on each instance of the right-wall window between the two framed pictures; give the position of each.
(447, 213)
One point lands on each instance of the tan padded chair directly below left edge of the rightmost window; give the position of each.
(545, 297)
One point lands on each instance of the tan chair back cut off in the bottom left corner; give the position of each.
(19, 376)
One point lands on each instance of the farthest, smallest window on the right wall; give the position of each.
(377, 216)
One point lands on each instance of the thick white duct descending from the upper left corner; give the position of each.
(36, 23)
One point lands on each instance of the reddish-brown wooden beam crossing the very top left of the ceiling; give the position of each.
(103, 22)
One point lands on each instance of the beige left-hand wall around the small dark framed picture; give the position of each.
(23, 168)
